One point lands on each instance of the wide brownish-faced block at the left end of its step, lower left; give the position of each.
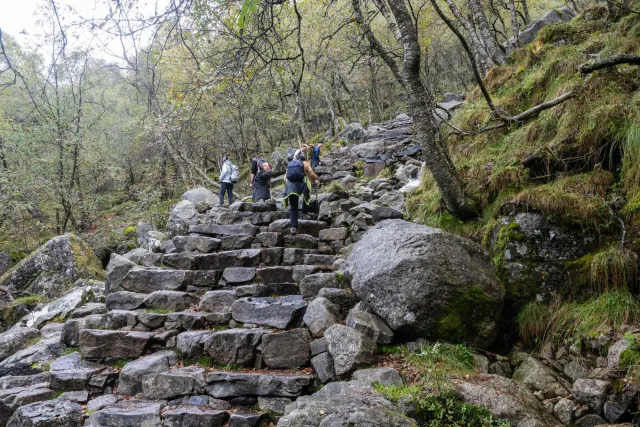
(100, 344)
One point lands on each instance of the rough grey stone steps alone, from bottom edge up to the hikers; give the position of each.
(213, 329)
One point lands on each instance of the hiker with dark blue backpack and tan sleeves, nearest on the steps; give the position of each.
(298, 183)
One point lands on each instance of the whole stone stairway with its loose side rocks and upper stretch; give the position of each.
(225, 324)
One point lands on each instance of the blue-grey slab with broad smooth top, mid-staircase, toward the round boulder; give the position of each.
(281, 312)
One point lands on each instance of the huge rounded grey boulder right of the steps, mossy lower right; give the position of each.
(424, 282)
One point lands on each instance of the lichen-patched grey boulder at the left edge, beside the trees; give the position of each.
(53, 268)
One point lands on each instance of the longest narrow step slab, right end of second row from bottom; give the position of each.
(223, 385)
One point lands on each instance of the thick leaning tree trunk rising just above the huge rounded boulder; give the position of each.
(420, 102)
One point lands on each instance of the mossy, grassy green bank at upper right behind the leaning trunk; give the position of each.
(566, 162)
